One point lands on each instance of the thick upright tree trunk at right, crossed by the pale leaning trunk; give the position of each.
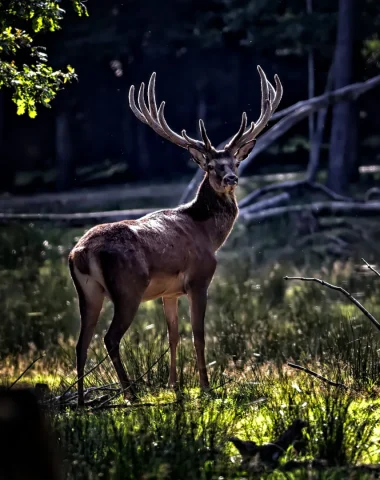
(341, 146)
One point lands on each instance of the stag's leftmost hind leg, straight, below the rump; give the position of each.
(91, 297)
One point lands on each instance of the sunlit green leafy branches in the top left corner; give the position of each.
(24, 66)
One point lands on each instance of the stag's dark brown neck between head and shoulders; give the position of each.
(215, 212)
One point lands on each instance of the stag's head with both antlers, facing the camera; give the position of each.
(221, 165)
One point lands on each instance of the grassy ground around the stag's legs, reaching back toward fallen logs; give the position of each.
(256, 323)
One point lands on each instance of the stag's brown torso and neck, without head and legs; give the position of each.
(167, 246)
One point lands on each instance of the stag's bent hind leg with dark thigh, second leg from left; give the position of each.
(126, 283)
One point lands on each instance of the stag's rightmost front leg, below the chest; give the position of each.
(198, 302)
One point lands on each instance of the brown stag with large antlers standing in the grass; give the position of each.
(167, 253)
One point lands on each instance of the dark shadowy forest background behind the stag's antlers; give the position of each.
(205, 55)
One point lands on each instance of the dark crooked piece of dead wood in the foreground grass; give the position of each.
(270, 452)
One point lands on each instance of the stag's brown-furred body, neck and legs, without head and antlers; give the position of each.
(166, 254)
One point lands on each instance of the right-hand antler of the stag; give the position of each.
(270, 99)
